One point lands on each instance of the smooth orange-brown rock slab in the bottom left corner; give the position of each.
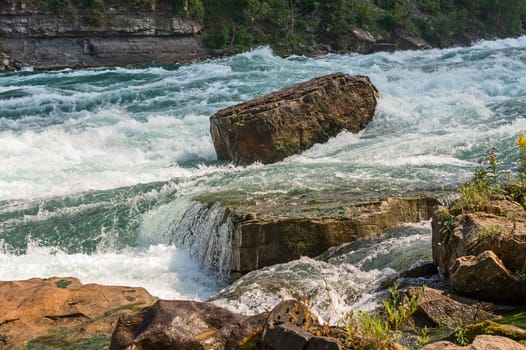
(63, 312)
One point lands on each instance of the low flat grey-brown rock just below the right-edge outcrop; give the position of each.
(437, 309)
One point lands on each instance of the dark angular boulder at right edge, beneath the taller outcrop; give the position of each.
(485, 277)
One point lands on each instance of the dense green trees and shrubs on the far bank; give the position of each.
(299, 26)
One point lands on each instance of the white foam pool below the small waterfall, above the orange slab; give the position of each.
(165, 271)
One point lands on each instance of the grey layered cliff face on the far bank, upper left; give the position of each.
(125, 36)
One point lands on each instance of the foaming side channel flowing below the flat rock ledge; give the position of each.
(341, 280)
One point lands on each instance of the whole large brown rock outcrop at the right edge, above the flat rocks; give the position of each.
(484, 251)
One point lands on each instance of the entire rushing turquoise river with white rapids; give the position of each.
(98, 166)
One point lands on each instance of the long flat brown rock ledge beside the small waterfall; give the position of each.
(271, 239)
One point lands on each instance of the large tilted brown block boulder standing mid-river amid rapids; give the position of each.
(291, 120)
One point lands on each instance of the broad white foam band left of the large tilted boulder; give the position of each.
(106, 151)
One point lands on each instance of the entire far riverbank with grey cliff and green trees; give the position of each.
(47, 35)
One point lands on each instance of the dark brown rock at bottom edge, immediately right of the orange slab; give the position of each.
(186, 325)
